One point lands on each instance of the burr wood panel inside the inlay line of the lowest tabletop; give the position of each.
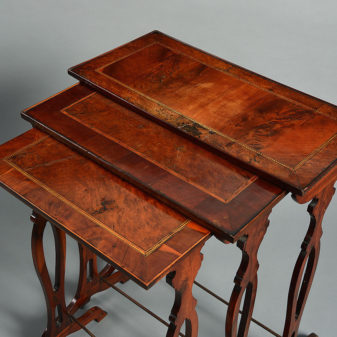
(56, 168)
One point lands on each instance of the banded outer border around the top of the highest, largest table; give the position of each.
(299, 181)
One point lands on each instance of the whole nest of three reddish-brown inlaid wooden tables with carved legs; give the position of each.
(159, 146)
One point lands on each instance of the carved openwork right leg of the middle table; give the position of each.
(246, 280)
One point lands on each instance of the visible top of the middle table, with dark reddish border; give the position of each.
(196, 182)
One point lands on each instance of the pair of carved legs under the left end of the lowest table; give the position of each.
(59, 316)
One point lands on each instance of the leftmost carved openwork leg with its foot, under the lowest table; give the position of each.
(59, 322)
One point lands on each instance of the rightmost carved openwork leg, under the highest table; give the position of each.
(306, 263)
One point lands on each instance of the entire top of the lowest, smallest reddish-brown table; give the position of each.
(68, 189)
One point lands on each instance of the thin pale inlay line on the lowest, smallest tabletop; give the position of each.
(90, 217)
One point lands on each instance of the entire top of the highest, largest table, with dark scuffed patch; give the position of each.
(267, 126)
